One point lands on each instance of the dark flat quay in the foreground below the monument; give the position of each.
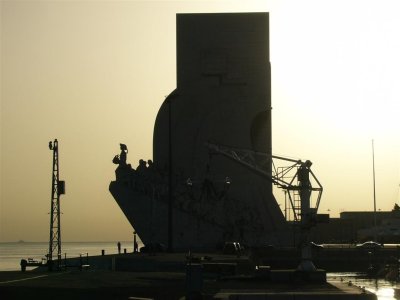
(174, 276)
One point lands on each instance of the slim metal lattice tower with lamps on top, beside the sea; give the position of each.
(57, 189)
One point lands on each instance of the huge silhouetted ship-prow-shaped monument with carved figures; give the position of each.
(190, 197)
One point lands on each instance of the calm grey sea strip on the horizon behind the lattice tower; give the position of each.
(12, 253)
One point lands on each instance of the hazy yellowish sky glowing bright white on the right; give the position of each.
(94, 74)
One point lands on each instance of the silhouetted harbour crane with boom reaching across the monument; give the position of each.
(296, 179)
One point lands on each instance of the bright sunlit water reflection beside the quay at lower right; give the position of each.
(385, 290)
